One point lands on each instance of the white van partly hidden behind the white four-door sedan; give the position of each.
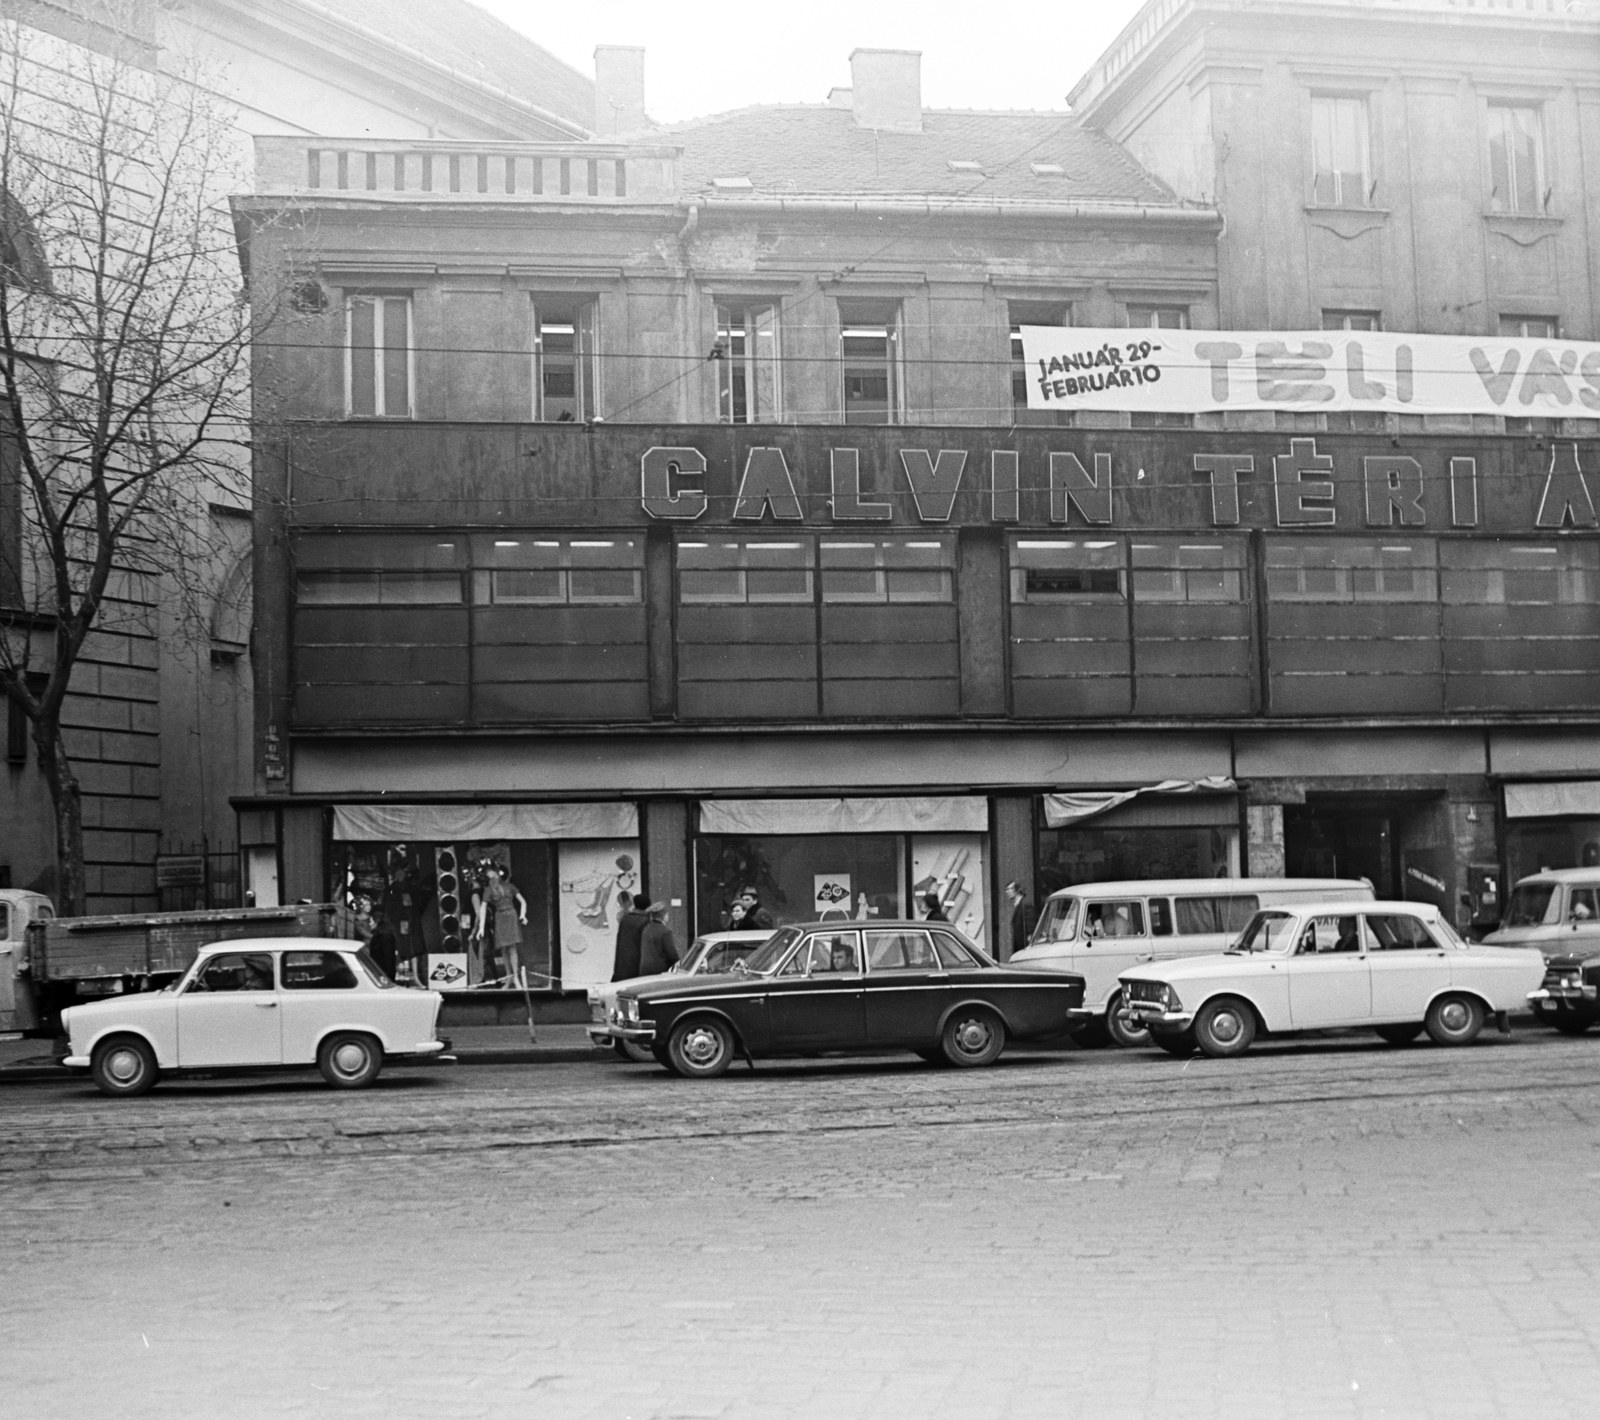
(1100, 930)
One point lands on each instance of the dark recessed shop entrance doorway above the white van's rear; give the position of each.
(1375, 837)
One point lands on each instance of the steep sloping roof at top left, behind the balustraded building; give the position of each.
(476, 44)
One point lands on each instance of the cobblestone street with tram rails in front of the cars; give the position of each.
(1327, 1229)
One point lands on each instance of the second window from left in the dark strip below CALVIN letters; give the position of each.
(535, 570)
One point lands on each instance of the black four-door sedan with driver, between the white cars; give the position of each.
(850, 987)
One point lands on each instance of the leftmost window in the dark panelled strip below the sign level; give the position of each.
(399, 570)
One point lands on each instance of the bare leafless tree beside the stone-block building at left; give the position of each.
(124, 343)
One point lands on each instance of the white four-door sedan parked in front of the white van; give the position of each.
(1396, 967)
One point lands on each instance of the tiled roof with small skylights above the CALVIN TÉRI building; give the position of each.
(820, 150)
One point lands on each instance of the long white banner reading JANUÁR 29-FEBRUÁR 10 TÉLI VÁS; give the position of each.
(1308, 372)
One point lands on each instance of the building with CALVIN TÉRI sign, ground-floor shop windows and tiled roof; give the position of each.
(666, 513)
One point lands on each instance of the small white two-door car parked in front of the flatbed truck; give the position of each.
(258, 1003)
